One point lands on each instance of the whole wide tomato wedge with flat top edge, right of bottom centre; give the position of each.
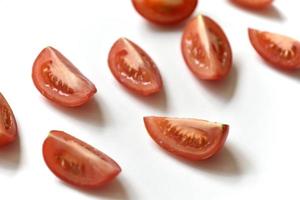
(192, 139)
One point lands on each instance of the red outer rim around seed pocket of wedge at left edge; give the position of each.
(10, 136)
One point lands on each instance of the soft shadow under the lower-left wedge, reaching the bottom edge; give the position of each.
(113, 190)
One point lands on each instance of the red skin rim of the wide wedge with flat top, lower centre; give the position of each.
(188, 156)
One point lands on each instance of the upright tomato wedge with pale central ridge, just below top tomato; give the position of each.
(206, 49)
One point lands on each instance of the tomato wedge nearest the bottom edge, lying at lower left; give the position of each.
(76, 162)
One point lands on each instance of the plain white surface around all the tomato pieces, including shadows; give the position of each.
(260, 159)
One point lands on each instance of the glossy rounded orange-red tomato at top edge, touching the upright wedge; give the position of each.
(165, 12)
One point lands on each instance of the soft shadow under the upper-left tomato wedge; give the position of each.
(90, 113)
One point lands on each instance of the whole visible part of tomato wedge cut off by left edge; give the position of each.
(8, 125)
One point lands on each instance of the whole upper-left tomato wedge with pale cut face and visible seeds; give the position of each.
(59, 80)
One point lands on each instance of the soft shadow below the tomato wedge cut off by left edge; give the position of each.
(10, 155)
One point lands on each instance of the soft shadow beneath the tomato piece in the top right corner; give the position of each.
(270, 13)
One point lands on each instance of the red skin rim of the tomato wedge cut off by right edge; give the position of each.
(272, 59)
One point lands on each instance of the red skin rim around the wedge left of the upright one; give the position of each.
(137, 90)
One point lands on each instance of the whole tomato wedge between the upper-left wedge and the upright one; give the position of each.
(133, 68)
